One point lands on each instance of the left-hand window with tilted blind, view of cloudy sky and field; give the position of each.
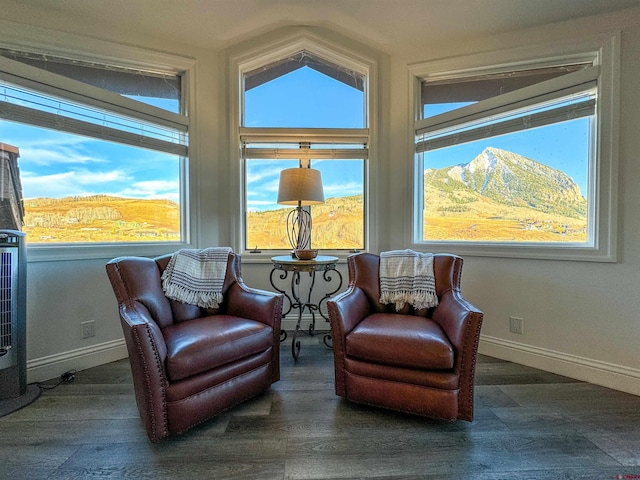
(101, 147)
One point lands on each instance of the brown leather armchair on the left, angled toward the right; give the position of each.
(189, 363)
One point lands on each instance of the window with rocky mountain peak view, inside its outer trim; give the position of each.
(508, 156)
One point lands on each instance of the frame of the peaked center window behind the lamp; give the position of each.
(246, 59)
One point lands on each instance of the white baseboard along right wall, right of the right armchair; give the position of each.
(606, 374)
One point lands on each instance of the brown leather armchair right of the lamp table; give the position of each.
(416, 361)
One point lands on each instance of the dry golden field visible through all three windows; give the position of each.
(337, 224)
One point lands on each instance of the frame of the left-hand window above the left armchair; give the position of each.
(87, 50)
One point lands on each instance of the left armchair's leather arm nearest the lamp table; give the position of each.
(259, 305)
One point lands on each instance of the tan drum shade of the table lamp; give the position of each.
(300, 186)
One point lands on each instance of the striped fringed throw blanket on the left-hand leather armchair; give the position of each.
(196, 276)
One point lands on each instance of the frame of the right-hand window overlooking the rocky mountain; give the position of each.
(604, 51)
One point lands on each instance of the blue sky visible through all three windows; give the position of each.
(55, 164)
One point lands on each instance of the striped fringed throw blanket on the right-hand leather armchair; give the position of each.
(407, 276)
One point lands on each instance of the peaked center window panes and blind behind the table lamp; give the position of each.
(305, 110)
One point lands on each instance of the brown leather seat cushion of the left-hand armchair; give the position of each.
(205, 343)
